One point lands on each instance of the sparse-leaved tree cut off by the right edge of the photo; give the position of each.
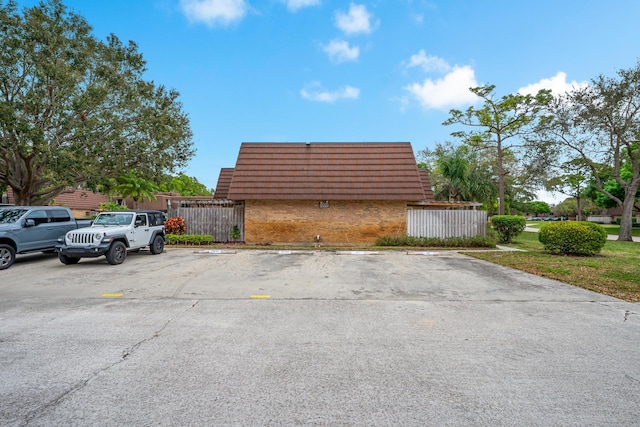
(601, 125)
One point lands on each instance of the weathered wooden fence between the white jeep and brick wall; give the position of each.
(217, 221)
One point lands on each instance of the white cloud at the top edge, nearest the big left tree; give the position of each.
(214, 12)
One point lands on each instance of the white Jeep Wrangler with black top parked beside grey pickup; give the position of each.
(113, 234)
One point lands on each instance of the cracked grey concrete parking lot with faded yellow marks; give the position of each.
(296, 338)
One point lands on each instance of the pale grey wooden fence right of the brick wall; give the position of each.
(446, 223)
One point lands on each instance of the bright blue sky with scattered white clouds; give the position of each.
(339, 71)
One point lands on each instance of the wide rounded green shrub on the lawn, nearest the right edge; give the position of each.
(573, 238)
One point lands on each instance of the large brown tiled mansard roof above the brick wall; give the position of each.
(326, 171)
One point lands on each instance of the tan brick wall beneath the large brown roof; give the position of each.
(342, 223)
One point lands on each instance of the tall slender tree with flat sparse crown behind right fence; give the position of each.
(500, 126)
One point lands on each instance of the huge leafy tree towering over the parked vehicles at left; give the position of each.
(75, 110)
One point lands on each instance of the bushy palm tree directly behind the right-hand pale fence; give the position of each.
(458, 175)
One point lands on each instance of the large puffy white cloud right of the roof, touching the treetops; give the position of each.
(448, 92)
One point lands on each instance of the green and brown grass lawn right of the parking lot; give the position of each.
(615, 271)
